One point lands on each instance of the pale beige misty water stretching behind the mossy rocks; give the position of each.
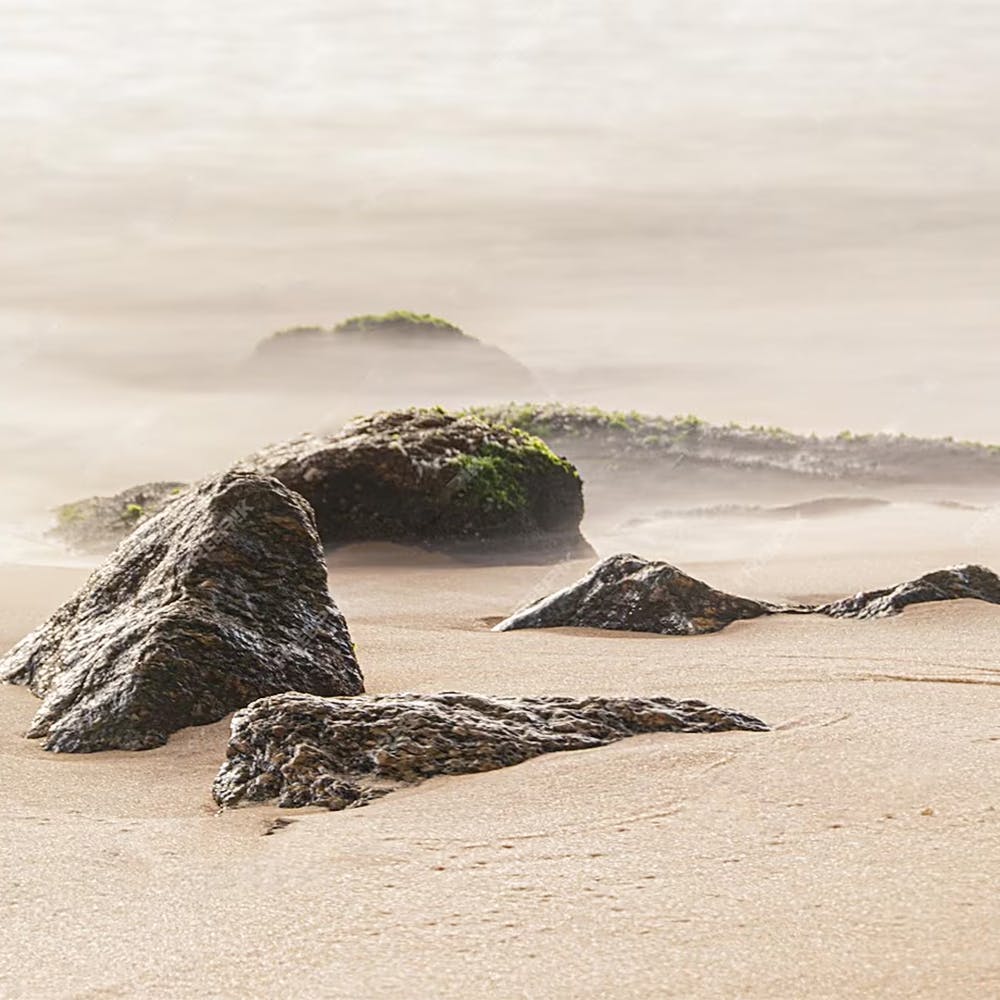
(766, 212)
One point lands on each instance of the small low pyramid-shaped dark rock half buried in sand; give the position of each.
(630, 594)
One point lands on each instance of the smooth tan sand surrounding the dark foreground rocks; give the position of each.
(850, 852)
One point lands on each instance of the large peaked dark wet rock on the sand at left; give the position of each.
(218, 600)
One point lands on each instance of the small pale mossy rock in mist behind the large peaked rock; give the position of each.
(98, 524)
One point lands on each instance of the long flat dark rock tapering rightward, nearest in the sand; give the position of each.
(341, 752)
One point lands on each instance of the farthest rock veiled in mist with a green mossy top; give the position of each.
(399, 358)
